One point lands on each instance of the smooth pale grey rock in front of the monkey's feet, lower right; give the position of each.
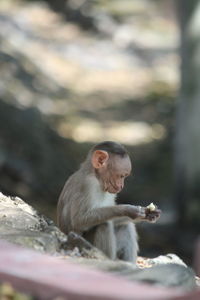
(167, 275)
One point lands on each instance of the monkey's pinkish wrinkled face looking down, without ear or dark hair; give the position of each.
(113, 172)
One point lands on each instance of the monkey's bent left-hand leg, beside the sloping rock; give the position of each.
(103, 237)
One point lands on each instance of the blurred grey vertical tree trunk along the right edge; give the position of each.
(187, 142)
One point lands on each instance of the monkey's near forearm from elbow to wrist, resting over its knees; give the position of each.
(96, 216)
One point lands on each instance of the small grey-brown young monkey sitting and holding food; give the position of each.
(87, 203)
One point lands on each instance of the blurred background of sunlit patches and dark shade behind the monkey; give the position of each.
(76, 72)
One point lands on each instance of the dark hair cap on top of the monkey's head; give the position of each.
(111, 147)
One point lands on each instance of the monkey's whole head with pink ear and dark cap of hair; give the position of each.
(112, 165)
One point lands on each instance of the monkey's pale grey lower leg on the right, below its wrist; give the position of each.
(127, 242)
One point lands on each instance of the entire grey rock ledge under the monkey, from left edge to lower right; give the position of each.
(21, 224)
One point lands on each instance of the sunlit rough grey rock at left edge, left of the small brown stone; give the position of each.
(22, 225)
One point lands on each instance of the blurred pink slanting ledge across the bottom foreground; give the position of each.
(47, 277)
